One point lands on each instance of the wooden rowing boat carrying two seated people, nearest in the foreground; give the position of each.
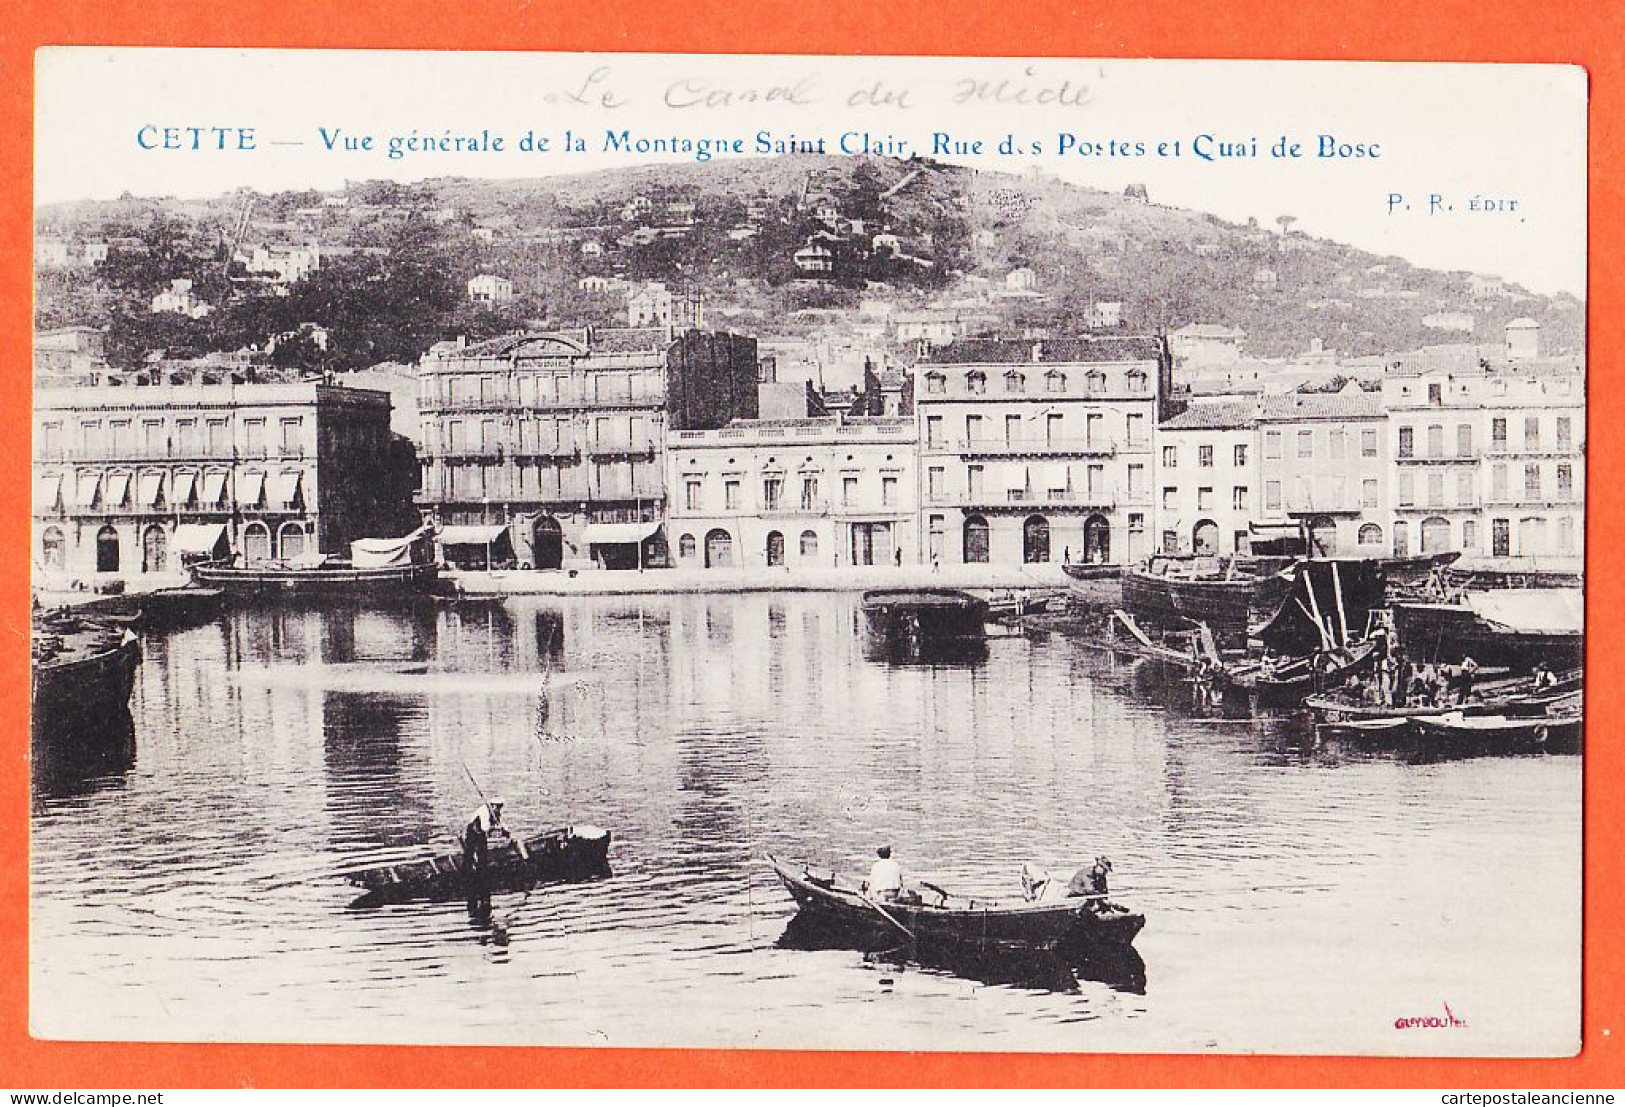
(956, 919)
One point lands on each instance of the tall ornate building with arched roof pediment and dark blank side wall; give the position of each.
(561, 436)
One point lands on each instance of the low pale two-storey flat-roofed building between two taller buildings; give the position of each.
(799, 493)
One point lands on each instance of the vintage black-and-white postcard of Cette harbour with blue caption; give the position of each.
(1028, 555)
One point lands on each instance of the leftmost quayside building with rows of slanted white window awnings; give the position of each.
(132, 479)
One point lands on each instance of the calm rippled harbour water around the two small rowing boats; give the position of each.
(1301, 898)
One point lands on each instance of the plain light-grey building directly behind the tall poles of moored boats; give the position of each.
(1325, 471)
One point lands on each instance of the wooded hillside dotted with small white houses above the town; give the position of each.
(916, 235)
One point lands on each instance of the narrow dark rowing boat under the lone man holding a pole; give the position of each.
(576, 853)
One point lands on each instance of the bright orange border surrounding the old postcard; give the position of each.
(1354, 30)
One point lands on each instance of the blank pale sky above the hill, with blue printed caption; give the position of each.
(1476, 168)
